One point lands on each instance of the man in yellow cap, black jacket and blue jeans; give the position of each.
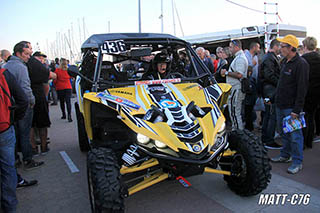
(289, 99)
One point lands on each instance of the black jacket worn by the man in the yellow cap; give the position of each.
(293, 84)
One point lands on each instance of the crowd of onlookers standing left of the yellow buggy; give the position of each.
(26, 80)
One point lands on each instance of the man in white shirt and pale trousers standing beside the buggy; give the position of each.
(237, 70)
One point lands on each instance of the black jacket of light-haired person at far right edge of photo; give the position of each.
(313, 59)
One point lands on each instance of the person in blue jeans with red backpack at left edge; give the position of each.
(10, 88)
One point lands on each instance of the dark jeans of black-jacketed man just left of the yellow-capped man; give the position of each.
(269, 124)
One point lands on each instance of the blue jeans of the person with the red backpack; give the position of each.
(8, 171)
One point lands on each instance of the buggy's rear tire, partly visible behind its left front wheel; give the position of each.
(82, 134)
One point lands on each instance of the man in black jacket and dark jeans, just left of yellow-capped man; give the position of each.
(269, 73)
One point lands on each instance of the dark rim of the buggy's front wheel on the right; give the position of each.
(238, 169)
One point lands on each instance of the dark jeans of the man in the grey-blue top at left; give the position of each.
(23, 134)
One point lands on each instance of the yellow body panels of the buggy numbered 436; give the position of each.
(183, 92)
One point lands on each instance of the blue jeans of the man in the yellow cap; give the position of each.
(292, 143)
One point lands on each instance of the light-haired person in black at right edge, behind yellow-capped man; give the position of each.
(312, 100)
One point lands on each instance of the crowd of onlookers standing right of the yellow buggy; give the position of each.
(284, 82)
